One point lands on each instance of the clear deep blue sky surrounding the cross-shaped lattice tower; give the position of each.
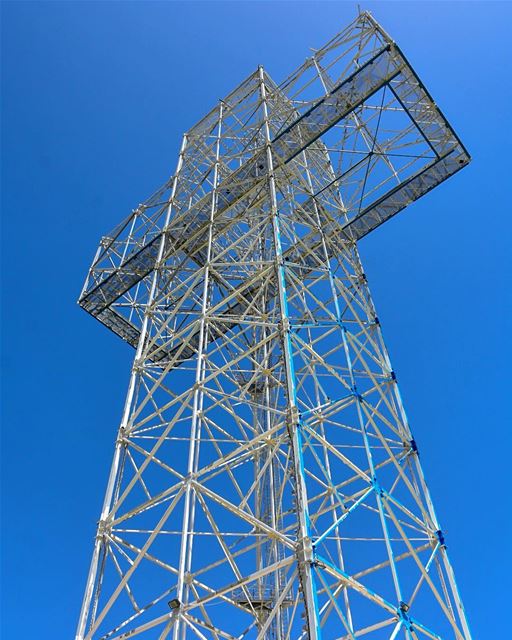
(95, 97)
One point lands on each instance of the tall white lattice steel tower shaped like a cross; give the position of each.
(265, 483)
